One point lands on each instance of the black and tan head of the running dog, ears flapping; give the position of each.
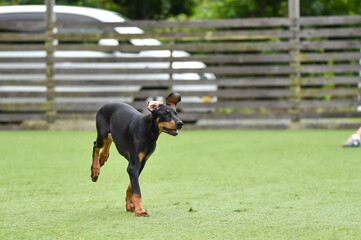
(166, 114)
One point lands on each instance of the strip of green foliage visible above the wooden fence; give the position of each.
(209, 9)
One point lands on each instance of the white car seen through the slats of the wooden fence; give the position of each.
(84, 14)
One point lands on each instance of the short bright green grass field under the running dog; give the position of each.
(233, 184)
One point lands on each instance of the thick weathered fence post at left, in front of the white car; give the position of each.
(49, 48)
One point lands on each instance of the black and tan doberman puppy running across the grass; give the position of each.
(135, 137)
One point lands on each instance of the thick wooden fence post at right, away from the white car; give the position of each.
(294, 16)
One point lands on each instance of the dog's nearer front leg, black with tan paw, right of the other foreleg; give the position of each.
(133, 171)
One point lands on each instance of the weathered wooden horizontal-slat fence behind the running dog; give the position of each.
(232, 73)
